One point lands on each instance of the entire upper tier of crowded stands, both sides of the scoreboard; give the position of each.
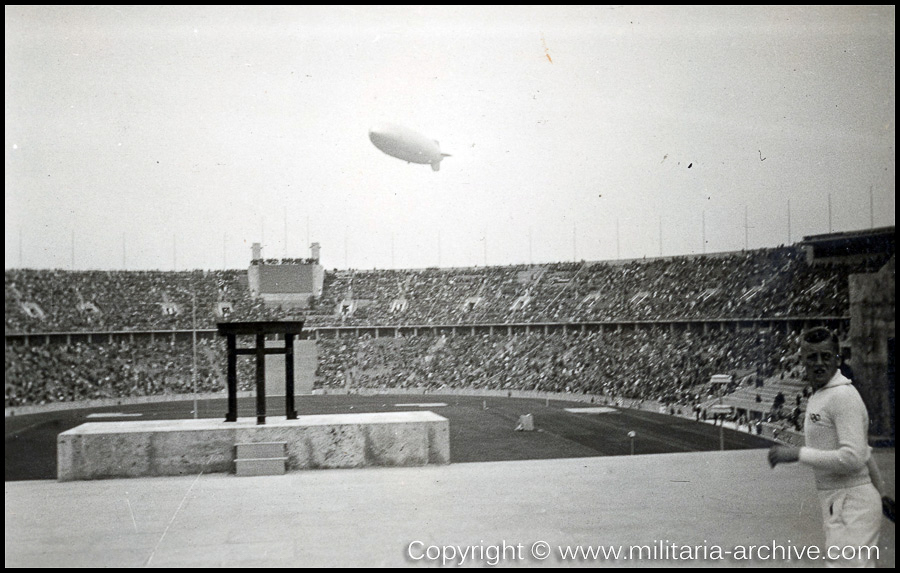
(759, 284)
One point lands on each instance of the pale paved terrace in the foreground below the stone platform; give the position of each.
(391, 516)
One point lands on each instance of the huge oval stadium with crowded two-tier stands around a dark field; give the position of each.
(482, 346)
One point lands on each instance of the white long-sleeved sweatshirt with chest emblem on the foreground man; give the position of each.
(837, 430)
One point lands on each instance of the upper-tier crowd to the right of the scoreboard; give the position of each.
(768, 283)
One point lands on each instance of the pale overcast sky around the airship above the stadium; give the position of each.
(174, 137)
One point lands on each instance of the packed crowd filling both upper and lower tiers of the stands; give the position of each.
(659, 363)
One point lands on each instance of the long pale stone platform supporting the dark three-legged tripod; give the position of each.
(182, 447)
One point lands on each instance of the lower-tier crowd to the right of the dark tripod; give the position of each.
(652, 364)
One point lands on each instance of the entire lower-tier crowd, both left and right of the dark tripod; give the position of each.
(654, 364)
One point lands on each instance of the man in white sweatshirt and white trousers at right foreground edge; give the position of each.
(837, 449)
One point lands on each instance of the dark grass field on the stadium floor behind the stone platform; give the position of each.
(481, 429)
